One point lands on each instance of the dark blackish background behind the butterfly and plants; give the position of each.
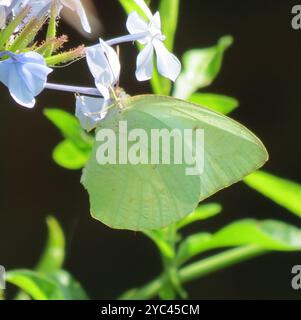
(261, 70)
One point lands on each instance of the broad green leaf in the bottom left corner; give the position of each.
(54, 286)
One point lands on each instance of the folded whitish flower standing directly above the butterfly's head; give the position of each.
(104, 65)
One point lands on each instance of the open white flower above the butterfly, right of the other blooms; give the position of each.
(168, 64)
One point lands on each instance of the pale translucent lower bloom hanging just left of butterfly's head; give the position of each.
(90, 111)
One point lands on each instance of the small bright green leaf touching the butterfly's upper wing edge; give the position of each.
(216, 102)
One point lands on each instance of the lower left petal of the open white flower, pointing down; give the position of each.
(144, 69)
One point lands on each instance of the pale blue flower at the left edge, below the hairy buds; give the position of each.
(25, 75)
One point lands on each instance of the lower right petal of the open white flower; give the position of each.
(168, 64)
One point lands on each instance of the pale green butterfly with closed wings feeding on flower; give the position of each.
(148, 196)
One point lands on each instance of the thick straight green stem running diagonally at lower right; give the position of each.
(197, 270)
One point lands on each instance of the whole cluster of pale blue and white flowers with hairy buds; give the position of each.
(24, 67)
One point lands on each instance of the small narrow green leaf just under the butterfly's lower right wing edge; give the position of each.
(203, 212)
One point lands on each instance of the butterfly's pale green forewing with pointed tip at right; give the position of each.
(231, 150)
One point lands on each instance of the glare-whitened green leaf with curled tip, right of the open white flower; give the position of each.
(200, 68)
